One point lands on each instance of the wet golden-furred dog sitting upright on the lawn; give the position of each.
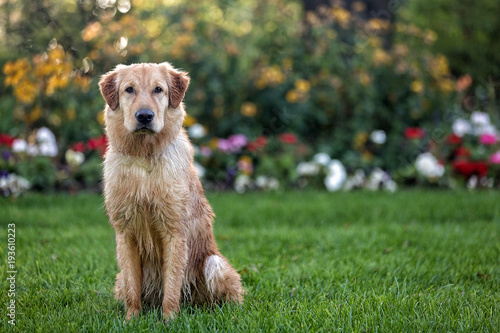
(165, 247)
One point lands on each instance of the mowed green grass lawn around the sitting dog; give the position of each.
(344, 262)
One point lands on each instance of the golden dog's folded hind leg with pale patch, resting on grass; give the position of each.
(222, 281)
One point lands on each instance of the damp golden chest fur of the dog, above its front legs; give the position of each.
(143, 192)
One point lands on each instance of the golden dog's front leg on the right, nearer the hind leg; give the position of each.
(174, 266)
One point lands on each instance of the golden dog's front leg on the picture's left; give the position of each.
(131, 273)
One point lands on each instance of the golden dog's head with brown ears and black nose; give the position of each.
(144, 99)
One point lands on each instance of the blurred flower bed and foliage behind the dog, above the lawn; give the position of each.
(330, 95)
